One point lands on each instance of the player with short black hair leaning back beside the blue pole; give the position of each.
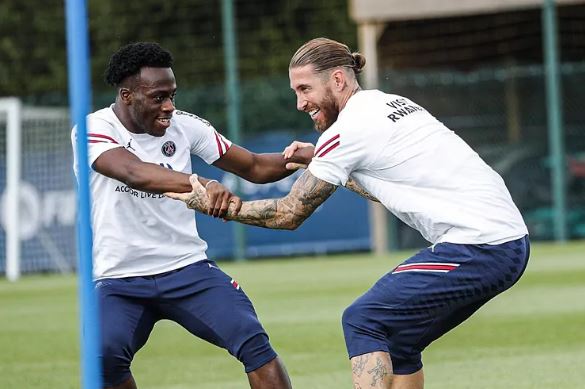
(149, 261)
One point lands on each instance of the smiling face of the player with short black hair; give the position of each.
(149, 100)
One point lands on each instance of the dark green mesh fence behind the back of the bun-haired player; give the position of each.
(501, 112)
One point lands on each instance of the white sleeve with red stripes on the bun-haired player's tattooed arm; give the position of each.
(337, 154)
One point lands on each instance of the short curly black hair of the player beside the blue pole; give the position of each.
(129, 59)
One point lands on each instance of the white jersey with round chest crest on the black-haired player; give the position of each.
(137, 233)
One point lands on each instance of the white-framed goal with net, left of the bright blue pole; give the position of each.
(39, 202)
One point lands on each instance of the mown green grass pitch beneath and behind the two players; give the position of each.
(532, 336)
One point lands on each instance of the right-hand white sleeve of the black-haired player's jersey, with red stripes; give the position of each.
(206, 142)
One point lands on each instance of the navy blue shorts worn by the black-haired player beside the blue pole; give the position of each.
(200, 297)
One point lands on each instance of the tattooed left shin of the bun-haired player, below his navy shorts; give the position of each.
(372, 370)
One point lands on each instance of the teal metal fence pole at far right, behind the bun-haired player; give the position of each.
(555, 119)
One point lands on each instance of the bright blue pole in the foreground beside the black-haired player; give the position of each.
(79, 97)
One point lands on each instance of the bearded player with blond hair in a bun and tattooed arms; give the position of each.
(390, 149)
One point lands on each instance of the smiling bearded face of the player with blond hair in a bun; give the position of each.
(315, 95)
